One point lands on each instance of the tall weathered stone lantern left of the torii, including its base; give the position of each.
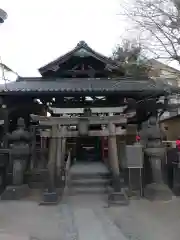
(19, 152)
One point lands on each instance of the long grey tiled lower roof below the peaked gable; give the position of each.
(83, 85)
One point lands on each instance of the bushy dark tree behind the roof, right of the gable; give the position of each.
(130, 55)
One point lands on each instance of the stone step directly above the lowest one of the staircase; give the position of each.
(99, 182)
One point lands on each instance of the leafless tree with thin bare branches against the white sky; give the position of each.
(158, 25)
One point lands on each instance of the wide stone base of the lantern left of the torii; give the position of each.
(15, 192)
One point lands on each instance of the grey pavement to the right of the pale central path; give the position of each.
(145, 220)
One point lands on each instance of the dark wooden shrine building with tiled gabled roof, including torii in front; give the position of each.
(84, 103)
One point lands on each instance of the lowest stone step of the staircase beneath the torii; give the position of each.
(86, 190)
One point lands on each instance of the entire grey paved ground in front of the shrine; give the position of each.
(87, 217)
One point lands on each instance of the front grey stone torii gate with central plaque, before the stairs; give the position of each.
(59, 131)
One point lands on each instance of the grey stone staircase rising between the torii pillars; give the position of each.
(88, 178)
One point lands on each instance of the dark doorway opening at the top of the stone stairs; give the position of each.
(88, 149)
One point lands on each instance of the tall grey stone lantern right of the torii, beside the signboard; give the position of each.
(155, 151)
